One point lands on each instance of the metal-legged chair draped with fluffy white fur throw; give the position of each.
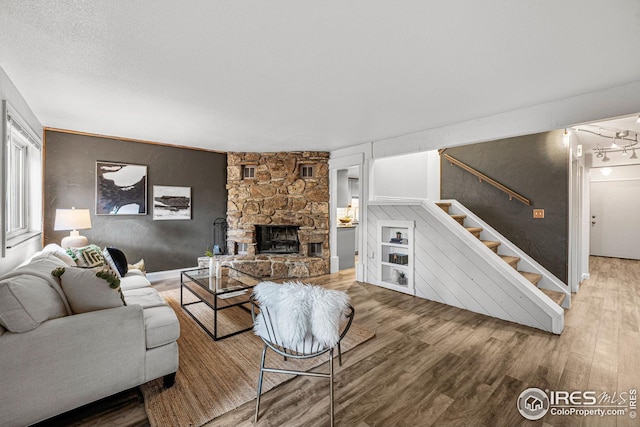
(300, 321)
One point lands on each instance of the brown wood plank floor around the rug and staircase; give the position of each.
(432, 364)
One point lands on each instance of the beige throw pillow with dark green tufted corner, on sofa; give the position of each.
(90, 289)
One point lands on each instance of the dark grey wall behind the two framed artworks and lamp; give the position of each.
(70, 180)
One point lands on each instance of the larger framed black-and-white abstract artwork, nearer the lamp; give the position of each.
(121, 189)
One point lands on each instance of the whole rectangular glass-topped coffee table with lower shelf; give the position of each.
(231, 290)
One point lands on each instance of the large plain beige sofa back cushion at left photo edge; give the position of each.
(26, 301)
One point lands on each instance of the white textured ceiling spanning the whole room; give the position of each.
(292, 74)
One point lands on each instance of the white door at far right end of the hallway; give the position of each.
(615, 229)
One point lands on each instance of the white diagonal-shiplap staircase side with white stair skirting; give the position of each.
(454, 266)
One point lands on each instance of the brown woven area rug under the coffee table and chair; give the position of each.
(215, 377)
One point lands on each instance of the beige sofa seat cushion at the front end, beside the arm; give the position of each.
(160, 322)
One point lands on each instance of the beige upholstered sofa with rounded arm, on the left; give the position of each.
(66, 360)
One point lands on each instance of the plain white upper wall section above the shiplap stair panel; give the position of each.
(410, 176)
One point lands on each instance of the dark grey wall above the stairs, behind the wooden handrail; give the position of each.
(536, 166)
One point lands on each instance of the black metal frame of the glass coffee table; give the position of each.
(198, 279)
